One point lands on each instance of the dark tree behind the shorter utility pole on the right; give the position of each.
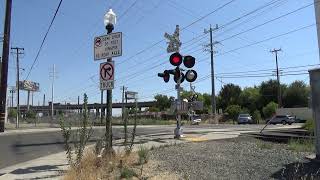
(269, 91)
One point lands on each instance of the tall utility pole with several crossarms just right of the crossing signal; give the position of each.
(213, 95)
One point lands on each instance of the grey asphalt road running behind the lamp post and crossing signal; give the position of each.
(21, 147)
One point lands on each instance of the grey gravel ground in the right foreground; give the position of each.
(238, 158)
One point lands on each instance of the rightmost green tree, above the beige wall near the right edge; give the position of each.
(296, 95)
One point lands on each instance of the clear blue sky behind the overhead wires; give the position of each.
(69, 44)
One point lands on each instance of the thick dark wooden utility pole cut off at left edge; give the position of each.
(4, 65)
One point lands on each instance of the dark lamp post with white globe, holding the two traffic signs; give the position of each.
(110, 19)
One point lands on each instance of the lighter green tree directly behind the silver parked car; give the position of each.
(249, 98)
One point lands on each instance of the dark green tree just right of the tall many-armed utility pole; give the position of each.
(229, 95)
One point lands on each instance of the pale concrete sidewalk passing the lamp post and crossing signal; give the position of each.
(53, 166)
